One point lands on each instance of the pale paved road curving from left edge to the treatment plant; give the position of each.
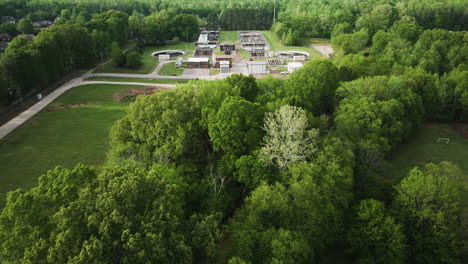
(30, 112)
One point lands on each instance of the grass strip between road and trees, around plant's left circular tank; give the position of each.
(149, 62)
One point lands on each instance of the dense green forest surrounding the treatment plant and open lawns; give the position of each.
(254, 171)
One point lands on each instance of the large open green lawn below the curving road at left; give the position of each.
(64, 137)
